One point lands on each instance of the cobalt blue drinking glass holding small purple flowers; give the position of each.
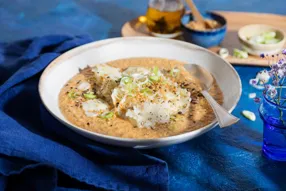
(274, 131)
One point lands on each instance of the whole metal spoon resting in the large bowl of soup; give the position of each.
(206, 80)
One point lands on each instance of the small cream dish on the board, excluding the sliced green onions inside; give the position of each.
(258, 49)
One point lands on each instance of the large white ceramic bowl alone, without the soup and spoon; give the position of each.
(66, 66)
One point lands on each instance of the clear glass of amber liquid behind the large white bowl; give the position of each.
(164, 17)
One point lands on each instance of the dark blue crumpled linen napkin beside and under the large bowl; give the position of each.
(39, 153)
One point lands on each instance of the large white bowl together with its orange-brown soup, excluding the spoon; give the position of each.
(91, 104)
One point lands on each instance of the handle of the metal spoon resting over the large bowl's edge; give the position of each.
(223, 117)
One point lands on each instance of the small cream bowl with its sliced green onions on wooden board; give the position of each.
(260, 39)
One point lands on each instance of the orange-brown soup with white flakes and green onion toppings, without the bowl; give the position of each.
(138, 98)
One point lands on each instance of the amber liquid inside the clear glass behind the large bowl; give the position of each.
(164, 22)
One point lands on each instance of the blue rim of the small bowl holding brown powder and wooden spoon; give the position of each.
(217, 16)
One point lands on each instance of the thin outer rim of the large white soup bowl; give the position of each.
(82, 48)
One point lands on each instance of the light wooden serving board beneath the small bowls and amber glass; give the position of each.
(235, 21)
